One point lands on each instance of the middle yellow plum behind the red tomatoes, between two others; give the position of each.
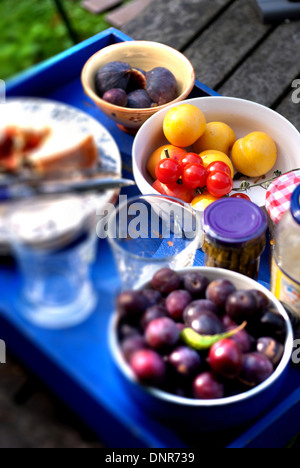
(217, 136)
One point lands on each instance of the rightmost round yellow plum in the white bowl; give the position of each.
(255, 154)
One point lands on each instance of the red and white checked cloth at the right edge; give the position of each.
(279, 194)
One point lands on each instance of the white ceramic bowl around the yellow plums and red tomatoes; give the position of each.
(243, 116)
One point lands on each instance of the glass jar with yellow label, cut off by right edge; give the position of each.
(285, 274)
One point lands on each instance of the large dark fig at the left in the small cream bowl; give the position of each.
(112, 75)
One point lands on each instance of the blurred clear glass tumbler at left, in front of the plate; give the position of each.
(54, 244)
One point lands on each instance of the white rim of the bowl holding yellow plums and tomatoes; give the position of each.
(137, 173)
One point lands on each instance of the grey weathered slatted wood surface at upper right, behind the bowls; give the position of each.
(231, 49)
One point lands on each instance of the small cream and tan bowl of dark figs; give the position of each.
(132, 80)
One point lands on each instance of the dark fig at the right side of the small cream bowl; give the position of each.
(161, 85)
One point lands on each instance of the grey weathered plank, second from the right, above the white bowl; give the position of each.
(270, 70)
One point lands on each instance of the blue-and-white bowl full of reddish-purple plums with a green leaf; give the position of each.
(204, 347)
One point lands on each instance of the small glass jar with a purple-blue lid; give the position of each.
(235, 235)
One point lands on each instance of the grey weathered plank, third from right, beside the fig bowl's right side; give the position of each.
(226, 43)
